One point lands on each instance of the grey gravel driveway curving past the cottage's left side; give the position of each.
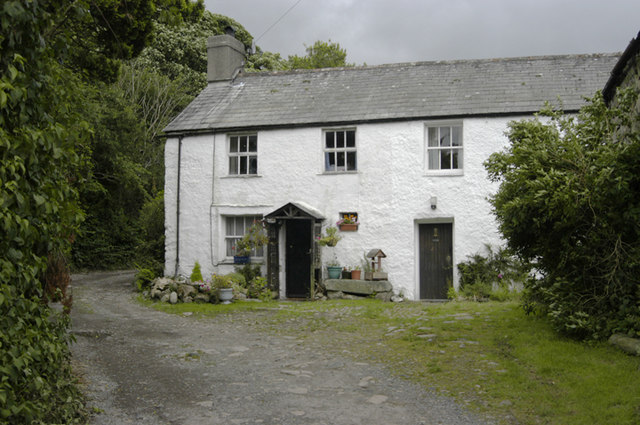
(141, 366)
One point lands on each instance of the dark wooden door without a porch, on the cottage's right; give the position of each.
(436, 268)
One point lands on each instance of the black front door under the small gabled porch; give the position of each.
(298, 258)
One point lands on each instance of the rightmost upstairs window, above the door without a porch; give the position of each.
(444, 147)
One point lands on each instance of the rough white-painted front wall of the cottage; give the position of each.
(390, 192)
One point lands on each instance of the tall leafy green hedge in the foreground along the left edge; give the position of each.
(39, 131)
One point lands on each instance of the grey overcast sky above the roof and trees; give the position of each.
(389, 31)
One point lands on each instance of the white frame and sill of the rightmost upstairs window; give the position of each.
(437, 151)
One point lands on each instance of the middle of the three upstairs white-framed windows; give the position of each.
(339, 151)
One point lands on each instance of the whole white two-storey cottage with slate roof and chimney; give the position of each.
(399, 146)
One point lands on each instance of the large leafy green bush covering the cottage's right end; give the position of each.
(569, 202)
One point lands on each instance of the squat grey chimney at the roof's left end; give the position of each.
(225, 55)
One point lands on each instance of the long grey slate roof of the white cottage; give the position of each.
(423, 90)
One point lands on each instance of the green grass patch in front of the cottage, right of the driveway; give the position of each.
(490, 356)
